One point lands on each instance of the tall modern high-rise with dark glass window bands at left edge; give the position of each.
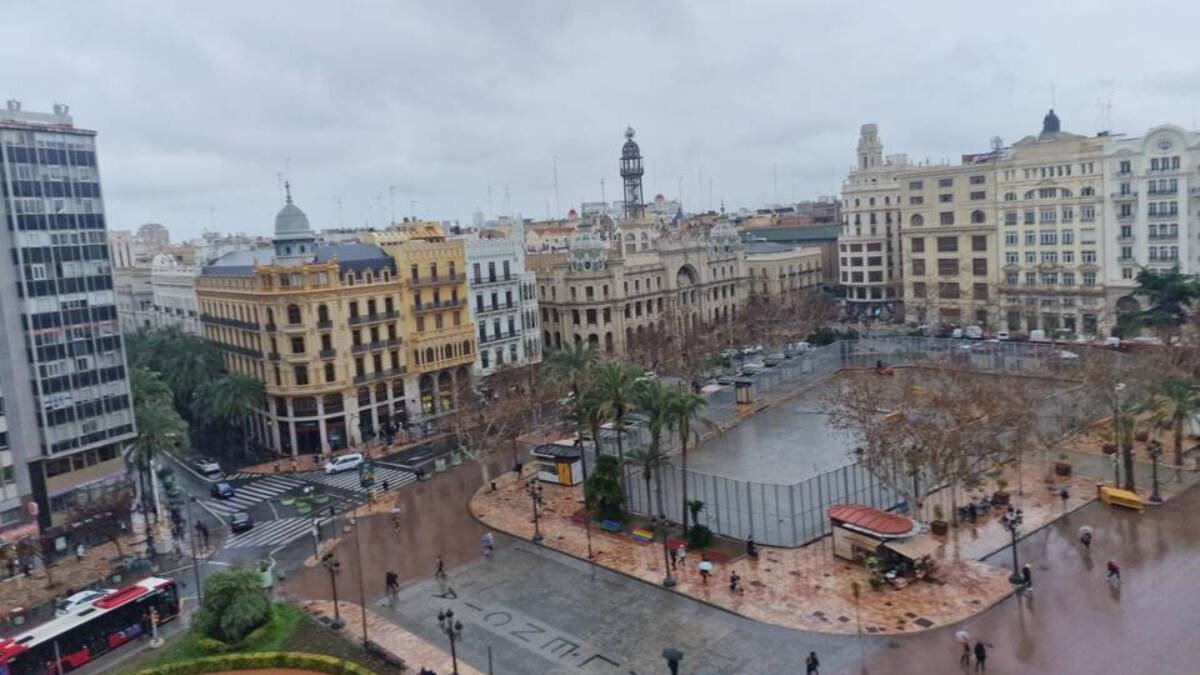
(63, 375)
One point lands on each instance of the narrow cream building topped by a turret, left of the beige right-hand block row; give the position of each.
(869, 247)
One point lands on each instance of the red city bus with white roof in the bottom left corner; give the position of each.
(92, 630)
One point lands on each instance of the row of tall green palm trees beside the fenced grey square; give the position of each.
(603, 391)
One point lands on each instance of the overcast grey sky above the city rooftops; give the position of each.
(201, 107)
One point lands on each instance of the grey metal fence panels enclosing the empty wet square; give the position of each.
(795, 515)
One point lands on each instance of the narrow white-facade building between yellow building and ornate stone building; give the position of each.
(503, 304)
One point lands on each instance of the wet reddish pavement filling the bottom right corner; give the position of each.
(1075, 622)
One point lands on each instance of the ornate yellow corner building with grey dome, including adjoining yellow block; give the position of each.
(349, 338)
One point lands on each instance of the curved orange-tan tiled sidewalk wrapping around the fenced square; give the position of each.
(807, 588)
